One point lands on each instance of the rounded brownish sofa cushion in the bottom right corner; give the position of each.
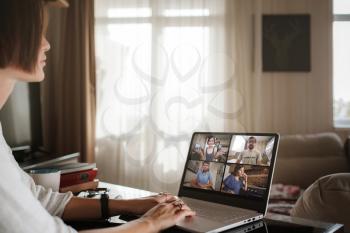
(327, 199)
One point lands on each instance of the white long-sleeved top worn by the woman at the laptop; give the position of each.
(24, 206)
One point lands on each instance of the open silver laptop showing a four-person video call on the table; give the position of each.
(227, 179)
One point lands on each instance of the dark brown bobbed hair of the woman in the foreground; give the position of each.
(21, 30)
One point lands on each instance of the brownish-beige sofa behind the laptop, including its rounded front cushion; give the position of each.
(318, 164)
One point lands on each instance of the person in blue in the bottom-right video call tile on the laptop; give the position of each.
(236, 181)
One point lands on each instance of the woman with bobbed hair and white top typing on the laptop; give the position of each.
(26, 207)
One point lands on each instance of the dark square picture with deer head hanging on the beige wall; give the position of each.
(286, 43)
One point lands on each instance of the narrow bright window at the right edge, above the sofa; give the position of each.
(341, 67)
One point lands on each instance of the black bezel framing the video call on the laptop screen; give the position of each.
(252, 203)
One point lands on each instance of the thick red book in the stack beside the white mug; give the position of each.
(79, 177)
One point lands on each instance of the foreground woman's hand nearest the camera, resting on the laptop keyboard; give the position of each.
(165, 215)
